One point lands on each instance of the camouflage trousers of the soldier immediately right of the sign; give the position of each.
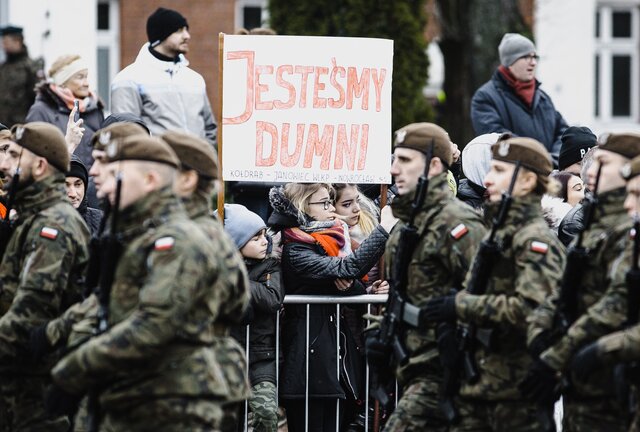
(418, 409)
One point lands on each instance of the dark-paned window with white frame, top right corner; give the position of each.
(616, 62)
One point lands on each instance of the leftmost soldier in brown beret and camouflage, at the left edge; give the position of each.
(41, 270)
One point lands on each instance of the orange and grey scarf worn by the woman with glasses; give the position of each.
(332, 236)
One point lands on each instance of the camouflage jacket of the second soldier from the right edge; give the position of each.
(602, 294)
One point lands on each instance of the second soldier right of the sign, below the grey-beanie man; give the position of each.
(527, 270)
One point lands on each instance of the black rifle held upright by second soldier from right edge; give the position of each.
(567, 308)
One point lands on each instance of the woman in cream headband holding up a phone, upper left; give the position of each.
(68, 84)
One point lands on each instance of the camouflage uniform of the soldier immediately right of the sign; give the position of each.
(439, 263)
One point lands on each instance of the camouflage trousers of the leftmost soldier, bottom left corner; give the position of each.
(22, 406)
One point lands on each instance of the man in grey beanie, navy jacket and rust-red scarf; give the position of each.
(511, 101)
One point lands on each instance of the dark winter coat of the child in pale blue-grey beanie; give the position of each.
(267, 295)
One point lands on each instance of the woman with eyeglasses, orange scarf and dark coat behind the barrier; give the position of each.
(317, 259)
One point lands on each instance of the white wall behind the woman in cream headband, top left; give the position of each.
(57, 27)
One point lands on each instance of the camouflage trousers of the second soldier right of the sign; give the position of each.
(503, 416)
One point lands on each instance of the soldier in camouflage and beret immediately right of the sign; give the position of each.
(450, 232)
